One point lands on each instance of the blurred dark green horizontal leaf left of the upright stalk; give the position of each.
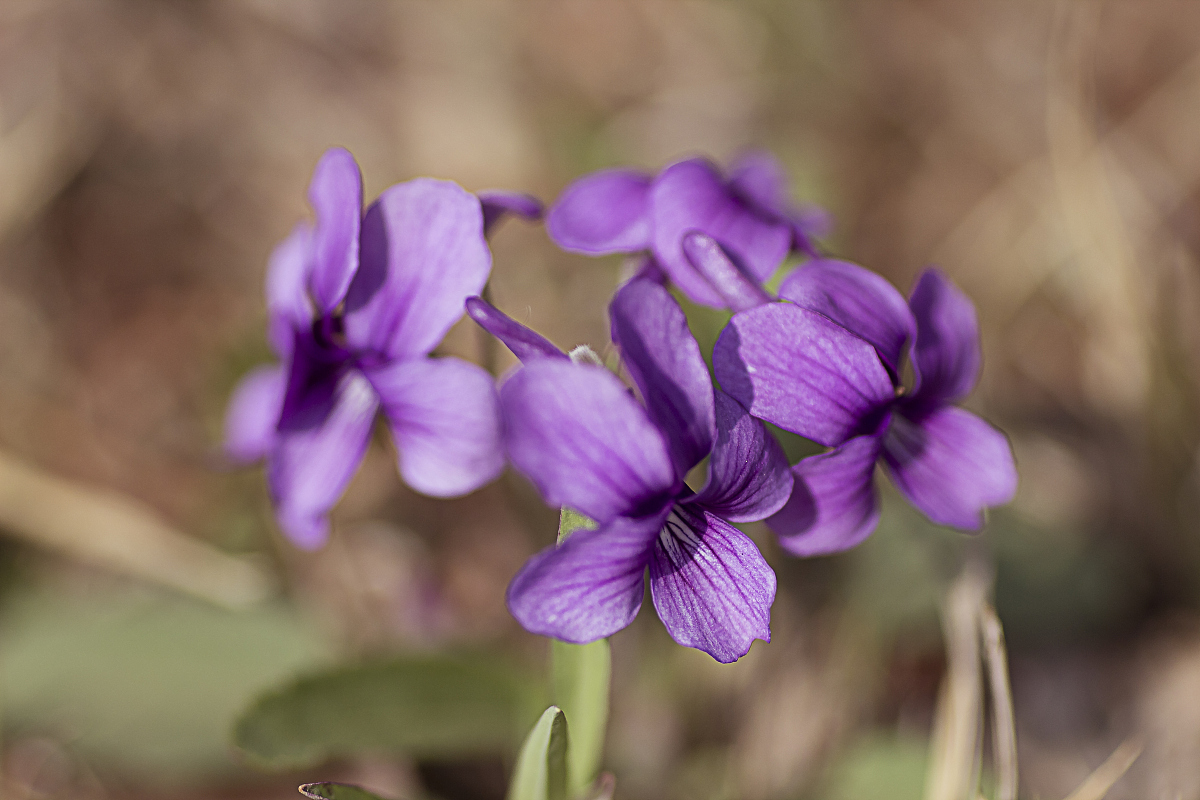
(424, 706)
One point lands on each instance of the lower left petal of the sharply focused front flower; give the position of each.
(590, 586)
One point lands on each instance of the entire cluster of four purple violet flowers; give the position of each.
(358, 302)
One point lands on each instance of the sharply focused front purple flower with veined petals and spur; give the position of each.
(587, 444)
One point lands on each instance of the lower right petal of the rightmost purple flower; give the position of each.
(951, 465)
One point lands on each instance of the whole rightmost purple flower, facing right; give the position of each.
(827, 366)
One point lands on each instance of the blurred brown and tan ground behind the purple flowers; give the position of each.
(152, 154)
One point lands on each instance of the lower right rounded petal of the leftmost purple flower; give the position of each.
(446, 419)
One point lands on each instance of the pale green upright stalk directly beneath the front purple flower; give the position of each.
(583, 676)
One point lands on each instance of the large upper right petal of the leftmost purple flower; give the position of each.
(423, 256)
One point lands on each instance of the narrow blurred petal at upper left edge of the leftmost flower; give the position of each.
(289, 309)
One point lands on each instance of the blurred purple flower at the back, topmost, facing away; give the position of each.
(628, 212)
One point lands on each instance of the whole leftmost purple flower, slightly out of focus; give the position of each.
(356, 305)
